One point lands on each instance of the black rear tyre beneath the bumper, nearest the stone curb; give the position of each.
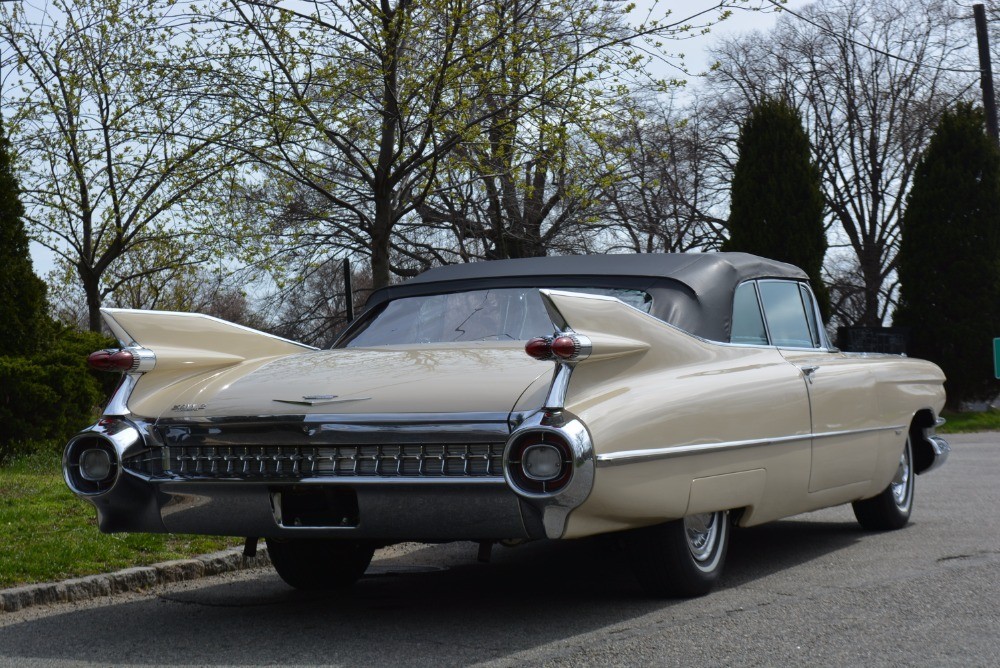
(319, 563)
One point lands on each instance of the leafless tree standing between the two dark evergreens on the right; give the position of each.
(870, 78)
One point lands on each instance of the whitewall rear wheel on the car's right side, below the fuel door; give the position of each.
(683, 558)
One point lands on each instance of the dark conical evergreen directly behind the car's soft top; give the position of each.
(777, 205)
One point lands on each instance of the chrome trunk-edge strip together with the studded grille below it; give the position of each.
(365, 448)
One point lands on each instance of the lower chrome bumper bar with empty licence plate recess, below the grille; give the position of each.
(389, 512)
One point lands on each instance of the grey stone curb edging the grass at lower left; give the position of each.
(130, 579)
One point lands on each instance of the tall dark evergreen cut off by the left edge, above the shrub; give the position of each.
(22, 293)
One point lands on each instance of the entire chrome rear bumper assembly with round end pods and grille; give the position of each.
(427, 479)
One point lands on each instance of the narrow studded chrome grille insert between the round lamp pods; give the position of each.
(277, 462)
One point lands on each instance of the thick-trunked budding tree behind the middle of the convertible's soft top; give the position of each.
(524, 183)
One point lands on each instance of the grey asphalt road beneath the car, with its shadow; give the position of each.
(812, 590)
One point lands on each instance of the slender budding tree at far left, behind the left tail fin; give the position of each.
(111, 157)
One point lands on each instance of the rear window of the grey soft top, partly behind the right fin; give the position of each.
(501, 314)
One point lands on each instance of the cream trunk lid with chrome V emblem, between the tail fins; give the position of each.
(430, 378)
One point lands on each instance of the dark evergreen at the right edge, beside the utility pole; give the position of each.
(949, 255)
